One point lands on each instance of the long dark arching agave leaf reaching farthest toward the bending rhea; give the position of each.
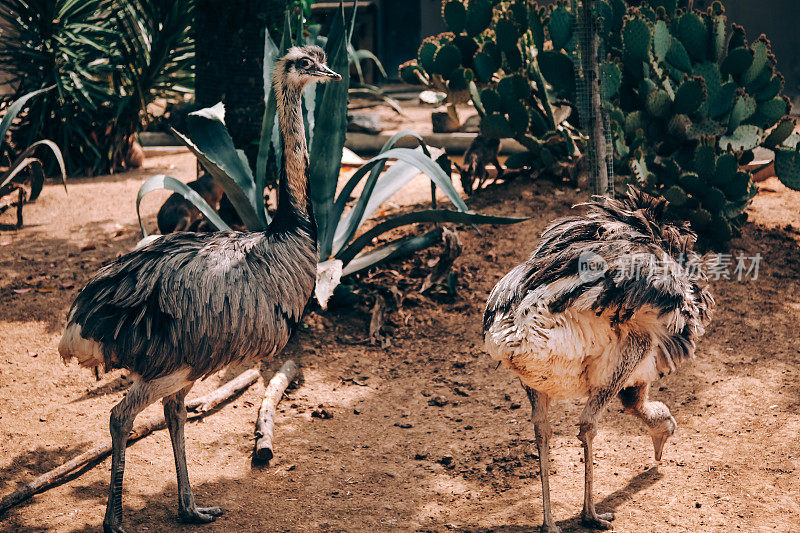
(429, 215)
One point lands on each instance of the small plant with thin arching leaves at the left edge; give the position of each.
(13, 179)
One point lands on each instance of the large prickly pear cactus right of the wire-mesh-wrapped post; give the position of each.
(691, 104)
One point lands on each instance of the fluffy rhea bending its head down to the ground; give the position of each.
(606, 304)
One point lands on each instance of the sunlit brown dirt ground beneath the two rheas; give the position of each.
(426, 435)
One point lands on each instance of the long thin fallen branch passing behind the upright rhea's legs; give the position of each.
(200, 405)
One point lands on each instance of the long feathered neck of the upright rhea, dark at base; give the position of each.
(294, 200)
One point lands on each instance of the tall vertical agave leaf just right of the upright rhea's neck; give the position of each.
(329, 136)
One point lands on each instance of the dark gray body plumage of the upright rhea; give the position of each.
(202, 300)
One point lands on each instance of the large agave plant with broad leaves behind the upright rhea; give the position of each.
(341, 251)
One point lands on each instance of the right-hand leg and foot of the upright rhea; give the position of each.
(175, 415)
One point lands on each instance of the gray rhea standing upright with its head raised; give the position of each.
(189, 304)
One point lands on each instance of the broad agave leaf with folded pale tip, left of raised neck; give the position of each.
(215, 151)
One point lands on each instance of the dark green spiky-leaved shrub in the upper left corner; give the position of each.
(108, 59)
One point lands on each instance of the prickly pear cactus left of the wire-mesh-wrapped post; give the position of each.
(495, 54)
